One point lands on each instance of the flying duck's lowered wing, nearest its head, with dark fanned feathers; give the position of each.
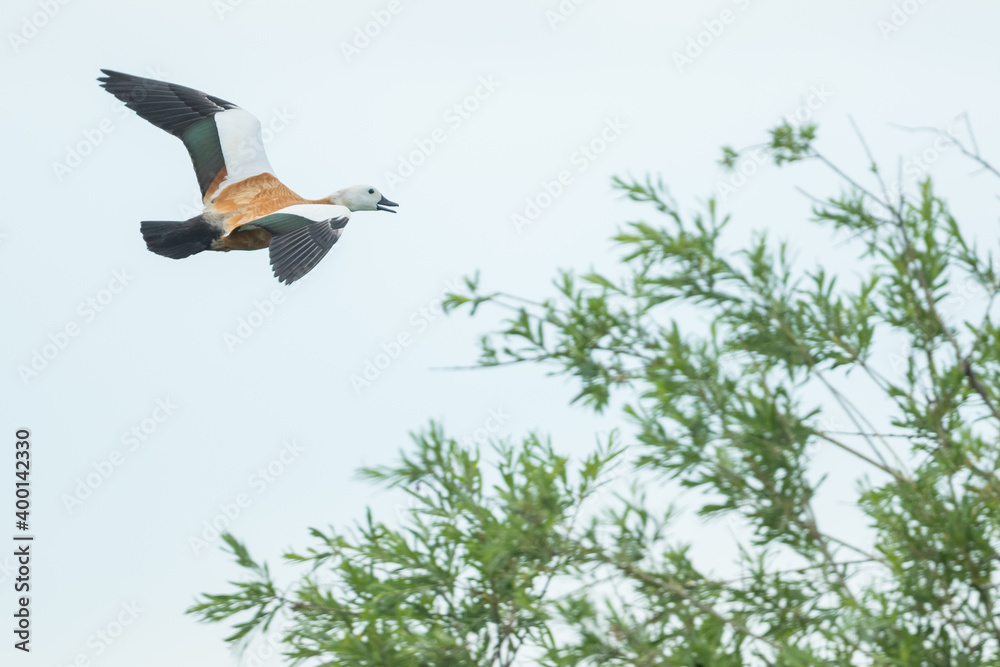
(301, 235)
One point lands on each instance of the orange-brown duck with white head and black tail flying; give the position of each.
(246, 206)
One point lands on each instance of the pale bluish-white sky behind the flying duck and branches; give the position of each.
(462, 113)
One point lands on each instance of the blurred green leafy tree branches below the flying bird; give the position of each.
(729, 366)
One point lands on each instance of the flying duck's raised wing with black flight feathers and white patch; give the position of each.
(223, 140)
